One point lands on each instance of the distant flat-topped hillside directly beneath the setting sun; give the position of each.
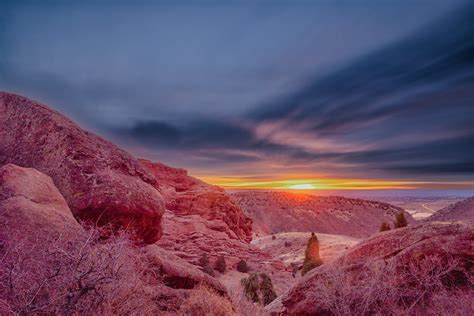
(275, 212)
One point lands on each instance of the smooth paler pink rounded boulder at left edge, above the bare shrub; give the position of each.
(30, 205)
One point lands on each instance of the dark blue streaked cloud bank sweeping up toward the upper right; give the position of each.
(405, 111)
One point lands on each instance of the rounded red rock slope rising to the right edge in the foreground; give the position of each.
(423, 269)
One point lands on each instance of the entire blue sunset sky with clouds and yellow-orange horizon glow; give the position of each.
(260, 94)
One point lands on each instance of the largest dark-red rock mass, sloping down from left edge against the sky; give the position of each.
(99, 181)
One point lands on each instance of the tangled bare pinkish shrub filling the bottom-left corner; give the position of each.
(78, 275)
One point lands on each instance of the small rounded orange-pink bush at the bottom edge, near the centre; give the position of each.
(204, 301)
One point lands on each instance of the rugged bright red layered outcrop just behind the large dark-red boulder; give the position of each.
(185, 195)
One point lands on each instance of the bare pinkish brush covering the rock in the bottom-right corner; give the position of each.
(432, 285)
